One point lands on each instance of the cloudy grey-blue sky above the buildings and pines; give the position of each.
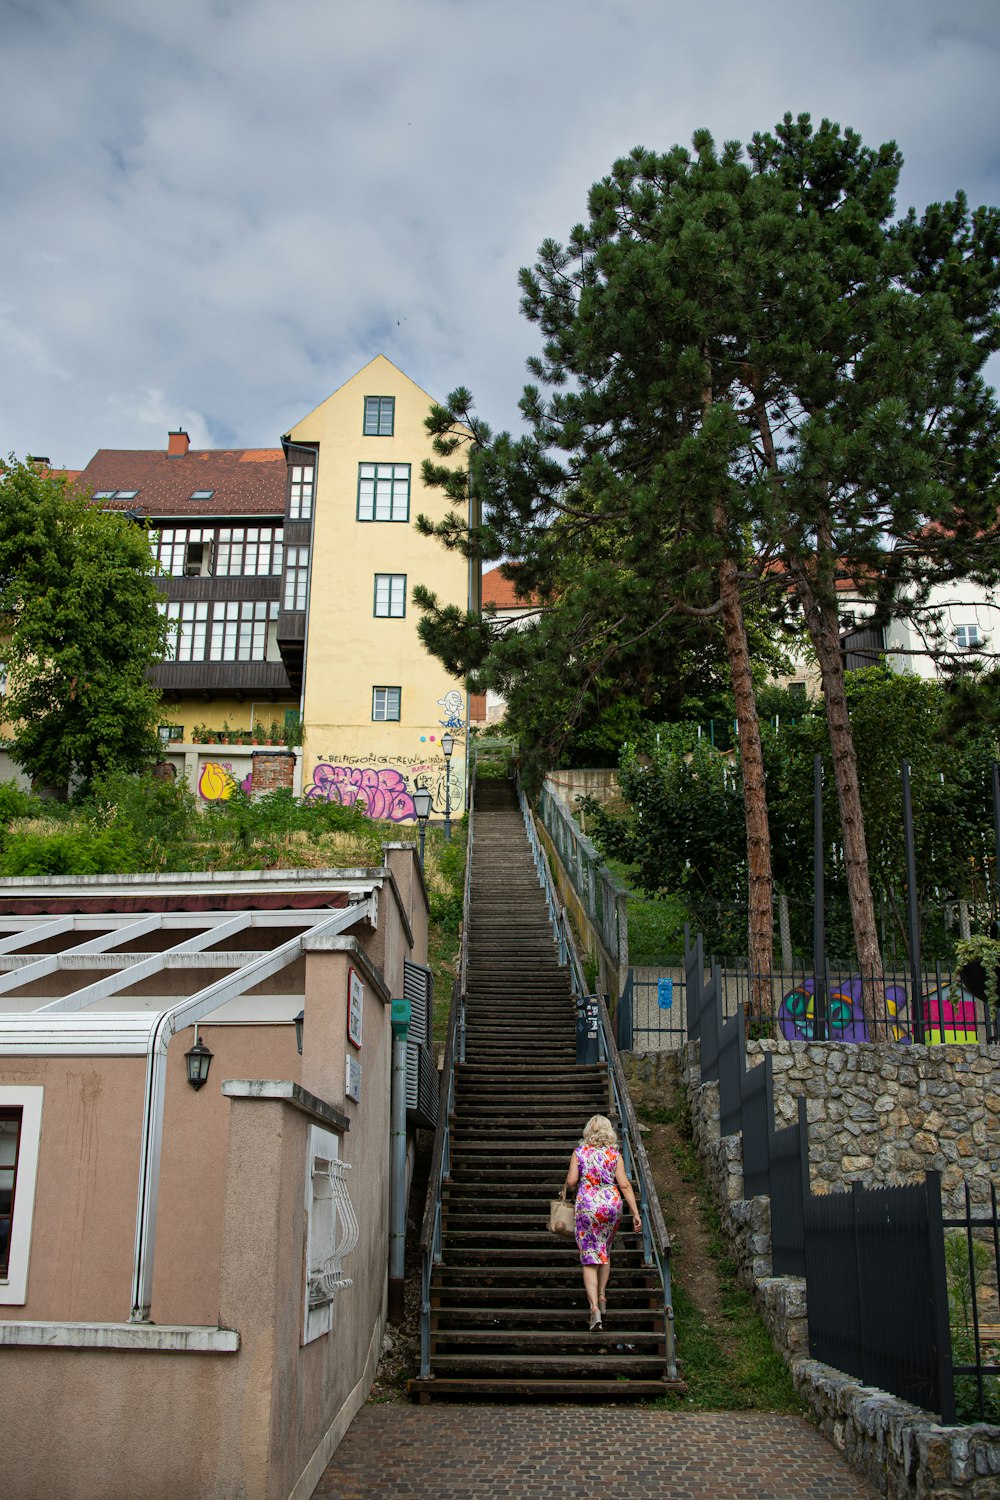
(214, 212)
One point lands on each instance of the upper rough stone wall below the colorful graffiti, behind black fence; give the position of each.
(884, 1115)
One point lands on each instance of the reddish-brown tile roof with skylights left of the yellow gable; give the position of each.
(244, 481)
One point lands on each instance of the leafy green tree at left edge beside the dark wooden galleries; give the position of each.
(77, 589)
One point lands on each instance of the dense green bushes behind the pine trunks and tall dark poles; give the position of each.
(683, 835)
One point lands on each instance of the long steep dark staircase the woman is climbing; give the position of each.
(509, 1310)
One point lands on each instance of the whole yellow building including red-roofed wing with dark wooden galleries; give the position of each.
(287, 578)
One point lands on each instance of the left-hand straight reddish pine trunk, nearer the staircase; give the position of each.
(755, 793)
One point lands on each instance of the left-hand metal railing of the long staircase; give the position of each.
(431, 1229)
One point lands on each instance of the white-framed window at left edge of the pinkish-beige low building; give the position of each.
(20, 1135)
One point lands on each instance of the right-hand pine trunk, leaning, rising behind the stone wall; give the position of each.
(821, 617)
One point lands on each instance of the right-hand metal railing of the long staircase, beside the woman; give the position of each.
(656, 1241)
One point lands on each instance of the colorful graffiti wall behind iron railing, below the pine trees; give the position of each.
(950, 1015)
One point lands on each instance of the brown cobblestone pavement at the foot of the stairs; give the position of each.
(487, 1453)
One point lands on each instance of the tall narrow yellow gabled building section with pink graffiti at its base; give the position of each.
(376, 704)
